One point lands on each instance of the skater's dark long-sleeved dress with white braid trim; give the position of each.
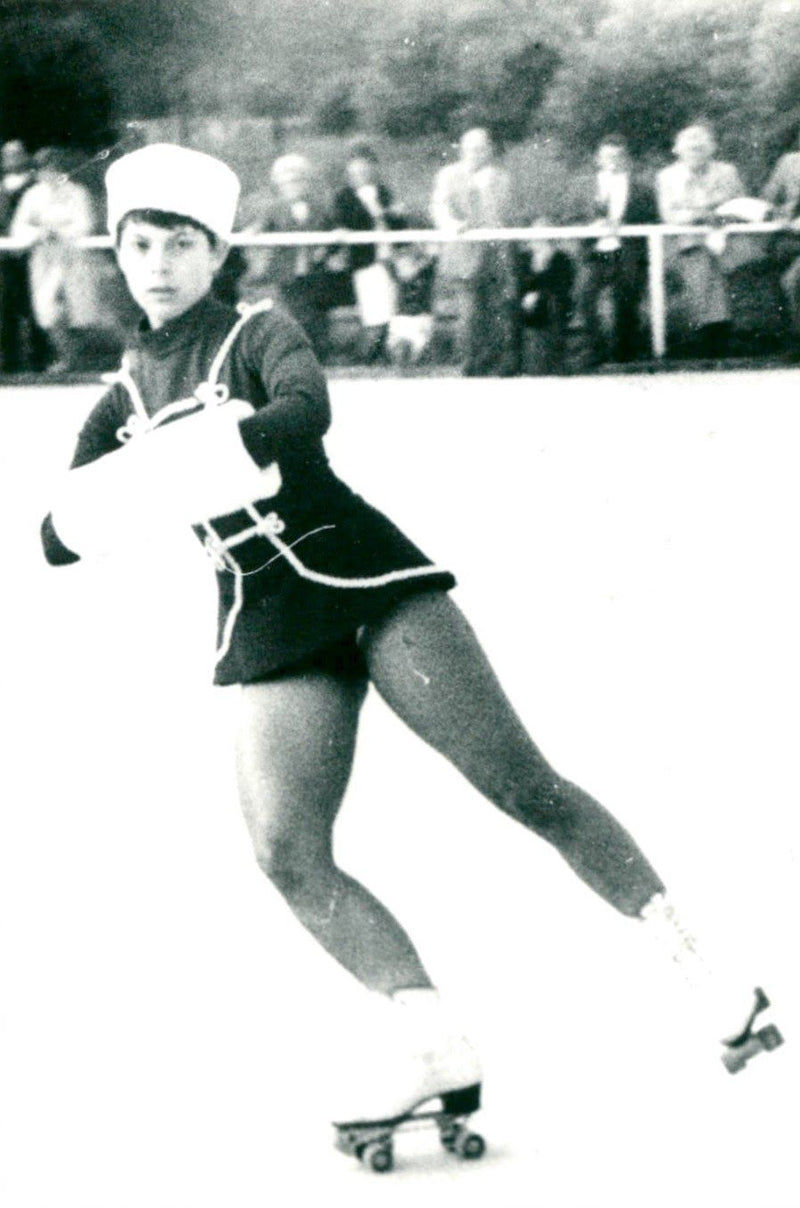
(298, 573)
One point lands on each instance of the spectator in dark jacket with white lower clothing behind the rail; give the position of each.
(366, 204)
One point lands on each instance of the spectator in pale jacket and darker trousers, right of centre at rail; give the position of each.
(468, 195)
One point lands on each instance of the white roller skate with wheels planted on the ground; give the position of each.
(414, 1067)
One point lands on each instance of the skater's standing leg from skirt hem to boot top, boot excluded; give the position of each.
(295, 750)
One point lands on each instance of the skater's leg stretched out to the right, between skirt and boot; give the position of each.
(428, 666)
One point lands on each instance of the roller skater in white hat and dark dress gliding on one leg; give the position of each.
(218, 419)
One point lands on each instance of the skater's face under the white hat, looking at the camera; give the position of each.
(167, 270)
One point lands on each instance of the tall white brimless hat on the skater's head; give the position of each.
(175, 179)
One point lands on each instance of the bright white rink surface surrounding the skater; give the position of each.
(628, 550)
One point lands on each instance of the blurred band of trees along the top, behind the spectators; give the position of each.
(555, 73)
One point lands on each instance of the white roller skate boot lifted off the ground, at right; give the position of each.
(743, 1037)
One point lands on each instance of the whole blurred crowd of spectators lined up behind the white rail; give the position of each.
(496, 307)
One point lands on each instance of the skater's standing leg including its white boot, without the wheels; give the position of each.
(295, 747)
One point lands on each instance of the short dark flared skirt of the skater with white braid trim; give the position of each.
(316, 567)
